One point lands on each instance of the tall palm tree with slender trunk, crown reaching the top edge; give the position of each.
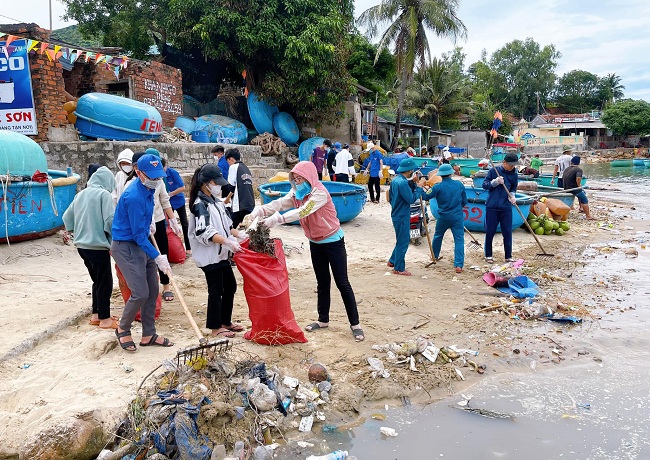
(407, 22)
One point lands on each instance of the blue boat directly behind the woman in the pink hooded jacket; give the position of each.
(348, 198)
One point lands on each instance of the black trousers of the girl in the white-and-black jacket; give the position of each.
(222, 286)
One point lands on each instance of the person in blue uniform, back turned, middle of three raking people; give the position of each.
(451, 197)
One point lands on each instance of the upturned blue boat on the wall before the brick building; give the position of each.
(116, 118)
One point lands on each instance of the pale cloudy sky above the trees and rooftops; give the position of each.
(603, 36)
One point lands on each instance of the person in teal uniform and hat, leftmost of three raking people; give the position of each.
(404, 191)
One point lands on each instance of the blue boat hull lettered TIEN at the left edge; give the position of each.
(29, 209)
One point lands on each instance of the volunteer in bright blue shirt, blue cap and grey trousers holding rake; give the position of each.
(136, 257)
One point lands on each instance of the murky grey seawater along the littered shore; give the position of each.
(597, 407)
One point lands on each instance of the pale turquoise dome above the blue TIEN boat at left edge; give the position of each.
(19, 155)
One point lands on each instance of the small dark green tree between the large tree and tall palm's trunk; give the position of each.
(374, 75)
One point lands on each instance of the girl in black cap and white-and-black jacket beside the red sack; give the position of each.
(213, 241)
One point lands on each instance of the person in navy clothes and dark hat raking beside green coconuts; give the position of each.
(498, 206)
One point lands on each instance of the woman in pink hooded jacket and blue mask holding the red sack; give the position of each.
(310, 203)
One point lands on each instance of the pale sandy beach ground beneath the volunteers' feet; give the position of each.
(77, 372)
